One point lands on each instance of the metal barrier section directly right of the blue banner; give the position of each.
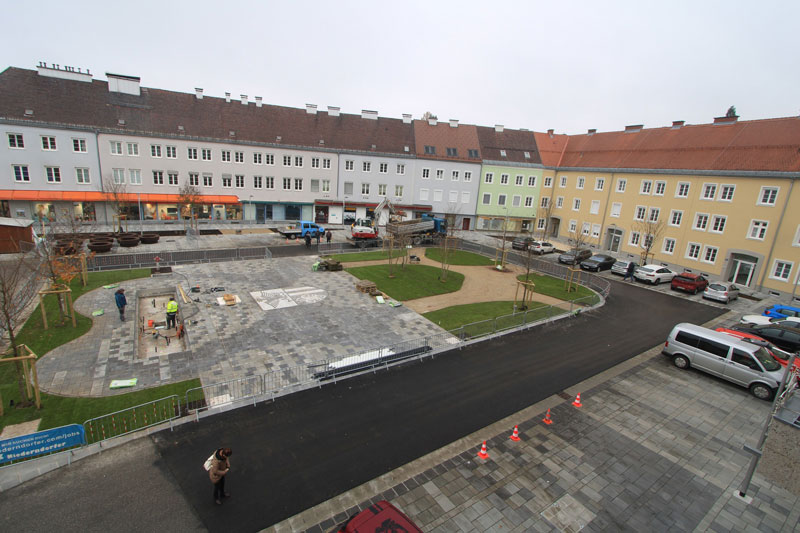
(132, 419)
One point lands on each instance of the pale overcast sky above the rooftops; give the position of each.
(568, 65)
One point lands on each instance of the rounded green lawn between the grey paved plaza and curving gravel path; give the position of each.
(411, 282)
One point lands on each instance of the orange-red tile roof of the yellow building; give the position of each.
(757, 145)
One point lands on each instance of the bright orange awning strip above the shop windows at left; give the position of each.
(97, 196)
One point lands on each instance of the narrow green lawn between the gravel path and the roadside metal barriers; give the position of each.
(451, 318)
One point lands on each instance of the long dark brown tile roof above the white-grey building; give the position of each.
(157, 112)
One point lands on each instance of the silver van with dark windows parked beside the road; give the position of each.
(726, 357)
